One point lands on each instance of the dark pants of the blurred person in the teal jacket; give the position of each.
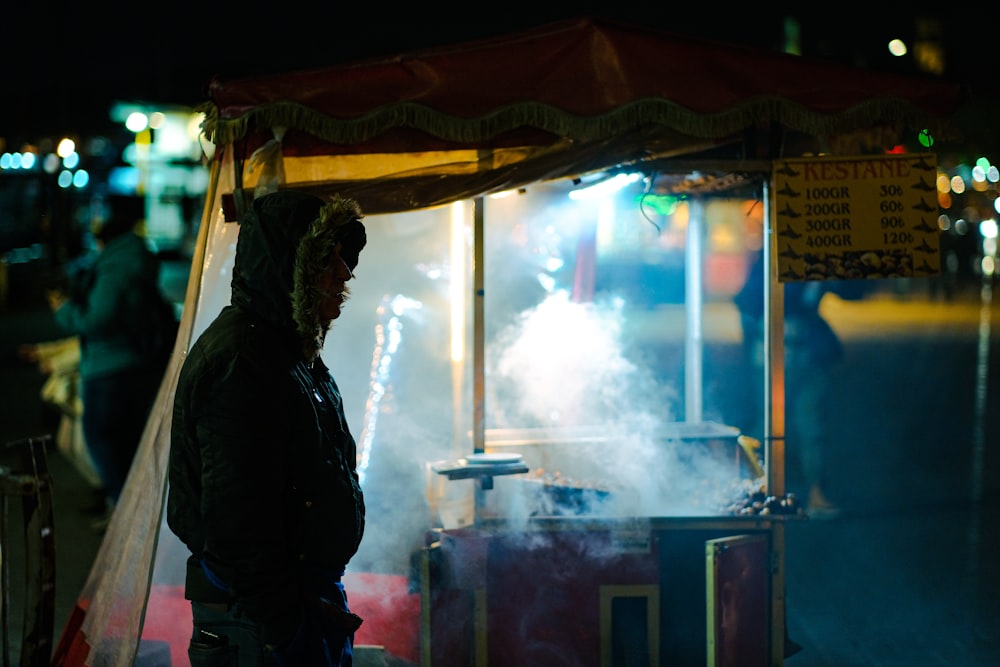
(115, 410)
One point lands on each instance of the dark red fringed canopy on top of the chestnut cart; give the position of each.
(429, 127)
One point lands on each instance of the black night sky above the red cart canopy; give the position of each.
(67, 64)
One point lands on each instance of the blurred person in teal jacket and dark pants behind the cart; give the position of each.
(108, 308)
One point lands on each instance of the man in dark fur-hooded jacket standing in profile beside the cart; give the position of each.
(263, 483)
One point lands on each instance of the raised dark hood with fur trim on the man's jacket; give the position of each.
(285, 242)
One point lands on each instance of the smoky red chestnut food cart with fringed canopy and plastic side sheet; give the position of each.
(525, 542)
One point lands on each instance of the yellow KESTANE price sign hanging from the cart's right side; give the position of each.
(858, 217)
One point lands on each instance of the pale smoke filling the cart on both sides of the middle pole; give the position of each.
(563, 388)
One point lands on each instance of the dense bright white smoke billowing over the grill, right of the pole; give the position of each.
(597, 429)
